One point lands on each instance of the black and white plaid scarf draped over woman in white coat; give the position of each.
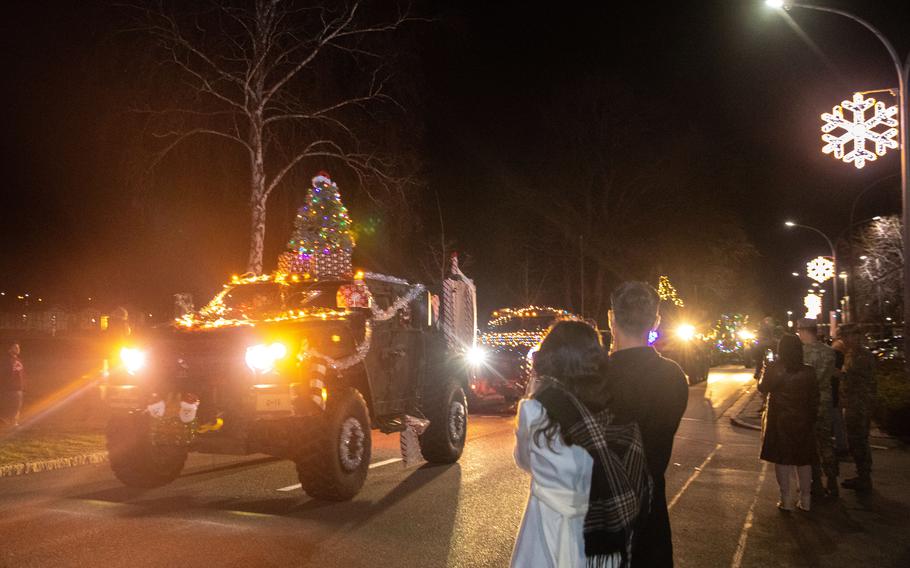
(621, 486)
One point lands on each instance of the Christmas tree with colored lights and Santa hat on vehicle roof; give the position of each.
(323, 241)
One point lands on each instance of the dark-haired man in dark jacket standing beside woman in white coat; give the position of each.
(650, 390)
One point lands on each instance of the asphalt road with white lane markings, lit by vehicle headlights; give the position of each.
(245, 512)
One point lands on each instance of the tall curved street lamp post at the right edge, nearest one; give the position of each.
(903, 77)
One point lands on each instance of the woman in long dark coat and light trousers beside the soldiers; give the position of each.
(788, 425)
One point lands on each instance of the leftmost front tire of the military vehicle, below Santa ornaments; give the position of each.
(135, 460)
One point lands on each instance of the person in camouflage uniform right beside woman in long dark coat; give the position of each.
(821, 358)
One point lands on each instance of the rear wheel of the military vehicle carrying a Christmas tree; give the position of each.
(446, 407)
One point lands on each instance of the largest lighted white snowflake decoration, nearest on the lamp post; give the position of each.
(880, 129)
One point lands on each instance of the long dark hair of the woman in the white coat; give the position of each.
(571, 355)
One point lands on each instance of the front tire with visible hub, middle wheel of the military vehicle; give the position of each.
(333, 464)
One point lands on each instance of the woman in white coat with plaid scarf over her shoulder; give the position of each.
(590, 488)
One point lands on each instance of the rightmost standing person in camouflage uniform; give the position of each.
(858, 394)
